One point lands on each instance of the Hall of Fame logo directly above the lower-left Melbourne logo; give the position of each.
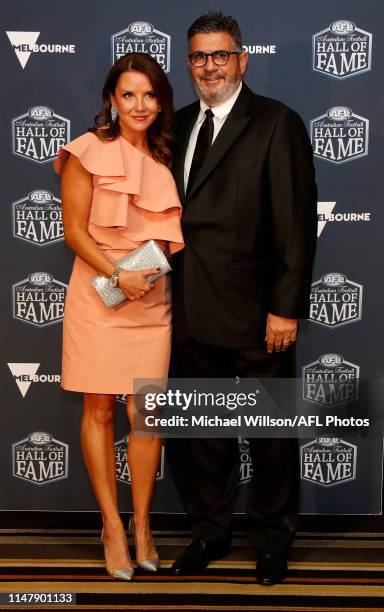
(39, 299)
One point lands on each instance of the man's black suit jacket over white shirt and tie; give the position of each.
(249, 225)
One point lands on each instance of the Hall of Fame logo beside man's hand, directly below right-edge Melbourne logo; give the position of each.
(335, 300)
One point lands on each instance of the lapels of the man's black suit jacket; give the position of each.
(235, 123)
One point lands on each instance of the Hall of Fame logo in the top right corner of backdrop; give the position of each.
(342, 50)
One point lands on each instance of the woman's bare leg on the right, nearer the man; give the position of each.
(143, 460)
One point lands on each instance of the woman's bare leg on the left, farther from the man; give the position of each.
(97, 439)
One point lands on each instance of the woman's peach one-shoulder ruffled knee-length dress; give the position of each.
(134, 200)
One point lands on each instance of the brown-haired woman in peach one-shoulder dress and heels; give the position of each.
(118, 192)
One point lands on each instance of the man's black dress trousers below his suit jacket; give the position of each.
(272, 496)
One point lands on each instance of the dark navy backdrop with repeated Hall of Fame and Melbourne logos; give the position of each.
(324, 59)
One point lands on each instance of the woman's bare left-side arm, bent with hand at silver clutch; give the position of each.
(76, 194)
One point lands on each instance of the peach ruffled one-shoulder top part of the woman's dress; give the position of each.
(132, 191)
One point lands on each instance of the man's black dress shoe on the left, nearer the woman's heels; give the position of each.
(197, 555)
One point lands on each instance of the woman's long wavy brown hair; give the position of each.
(160, 132)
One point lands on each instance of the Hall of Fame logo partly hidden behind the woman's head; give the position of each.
(142, 37)
